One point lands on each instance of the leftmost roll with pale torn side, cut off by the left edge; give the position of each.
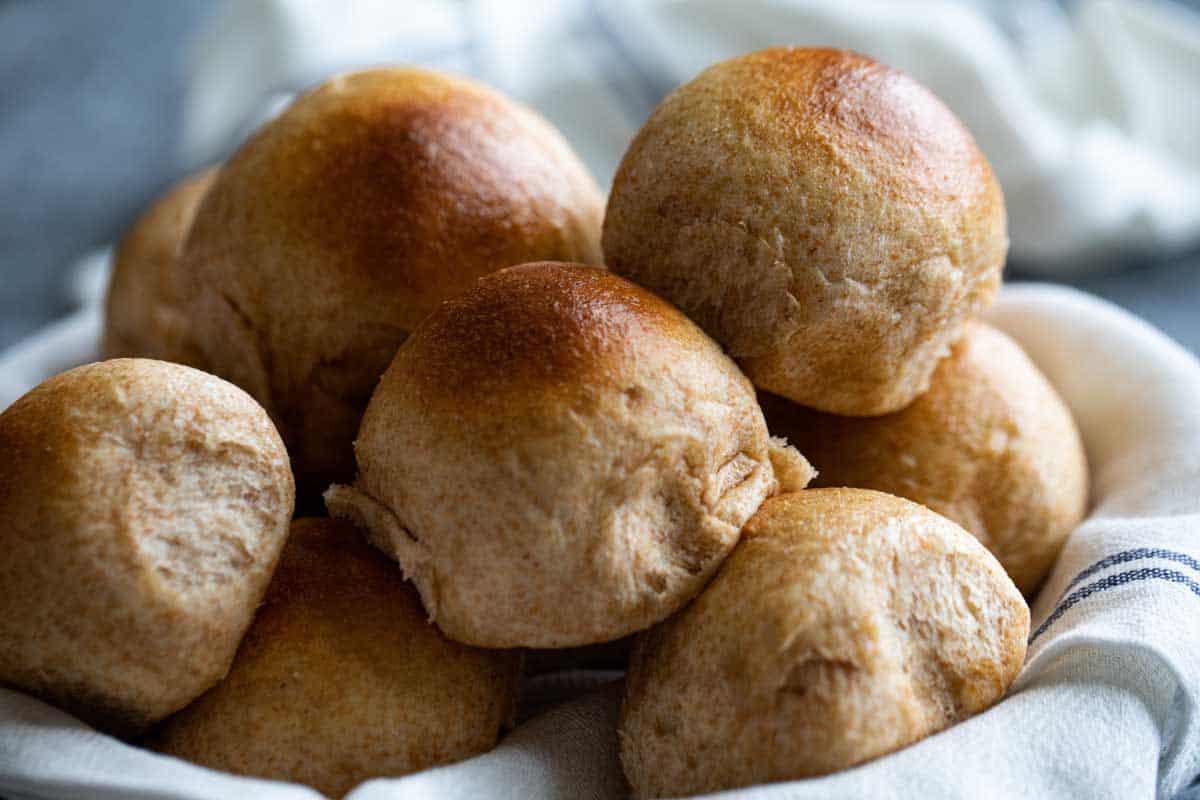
(145, 507)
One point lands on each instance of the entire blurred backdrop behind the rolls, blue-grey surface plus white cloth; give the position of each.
(1089, 111)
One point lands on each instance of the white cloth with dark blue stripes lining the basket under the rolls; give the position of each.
(1108, 705)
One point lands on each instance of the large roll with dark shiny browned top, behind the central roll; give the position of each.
(349, 219)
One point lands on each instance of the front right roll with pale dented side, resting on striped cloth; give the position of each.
(845, 625)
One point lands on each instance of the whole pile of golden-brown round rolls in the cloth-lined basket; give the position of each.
(514, 420)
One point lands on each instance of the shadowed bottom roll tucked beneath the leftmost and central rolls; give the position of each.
(341, 678)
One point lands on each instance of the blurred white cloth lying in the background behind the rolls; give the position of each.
(1091, 118)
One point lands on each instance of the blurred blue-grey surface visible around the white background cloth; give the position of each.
(89, 116)
